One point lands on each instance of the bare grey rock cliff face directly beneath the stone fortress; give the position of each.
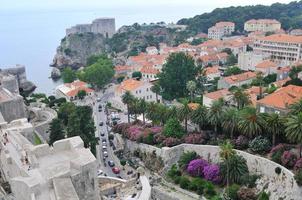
(76, 48)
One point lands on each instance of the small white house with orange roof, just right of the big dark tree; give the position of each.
(209, 98)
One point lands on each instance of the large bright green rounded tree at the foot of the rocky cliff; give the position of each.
(99, 73)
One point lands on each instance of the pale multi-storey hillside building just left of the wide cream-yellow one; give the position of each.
(221, 29)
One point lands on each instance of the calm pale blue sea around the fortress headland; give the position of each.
(31, 38)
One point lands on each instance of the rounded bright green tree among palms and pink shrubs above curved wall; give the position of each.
(173, 129)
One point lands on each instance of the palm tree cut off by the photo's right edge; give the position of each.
(294, 129)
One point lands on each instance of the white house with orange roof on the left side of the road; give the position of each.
(69, 91)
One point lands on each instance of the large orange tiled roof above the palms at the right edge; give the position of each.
(283, 97)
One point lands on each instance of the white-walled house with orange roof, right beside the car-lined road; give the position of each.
(139, 89)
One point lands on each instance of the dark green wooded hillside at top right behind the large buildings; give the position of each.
(290, 15)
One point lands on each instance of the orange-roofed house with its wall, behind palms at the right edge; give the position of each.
(279, 101)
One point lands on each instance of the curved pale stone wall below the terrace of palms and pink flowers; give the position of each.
(281, 186)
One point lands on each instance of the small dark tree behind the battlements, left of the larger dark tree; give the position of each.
(56, 131)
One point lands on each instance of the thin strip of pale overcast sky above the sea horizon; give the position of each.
(13, 5)
